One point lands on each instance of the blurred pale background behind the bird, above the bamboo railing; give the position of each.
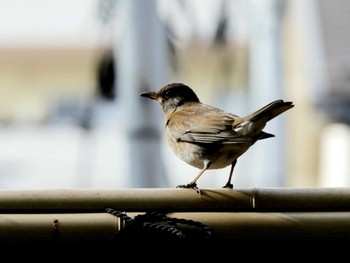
(71, 73)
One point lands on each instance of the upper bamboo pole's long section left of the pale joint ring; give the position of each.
(135, 199)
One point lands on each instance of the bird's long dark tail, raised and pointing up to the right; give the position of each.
(271, 110)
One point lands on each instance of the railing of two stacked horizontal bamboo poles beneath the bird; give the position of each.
(243, 215)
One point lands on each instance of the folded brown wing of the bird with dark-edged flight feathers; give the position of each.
(210, 125)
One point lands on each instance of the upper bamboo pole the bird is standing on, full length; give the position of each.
(175, 200)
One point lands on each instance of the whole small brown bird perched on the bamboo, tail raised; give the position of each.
(207, 137)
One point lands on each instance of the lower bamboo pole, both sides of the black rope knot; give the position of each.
(55, 229)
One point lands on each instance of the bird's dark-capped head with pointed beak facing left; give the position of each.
(172, 96)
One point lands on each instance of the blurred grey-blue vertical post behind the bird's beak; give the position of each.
(141, 54)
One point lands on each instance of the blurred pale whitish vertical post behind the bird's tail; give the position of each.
(266, 86)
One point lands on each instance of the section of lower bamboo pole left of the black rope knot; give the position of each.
(56, 228)
